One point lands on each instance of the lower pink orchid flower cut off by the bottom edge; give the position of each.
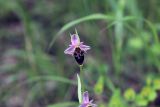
(86, 102)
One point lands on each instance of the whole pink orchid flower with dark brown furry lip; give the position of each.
(77, 48)
